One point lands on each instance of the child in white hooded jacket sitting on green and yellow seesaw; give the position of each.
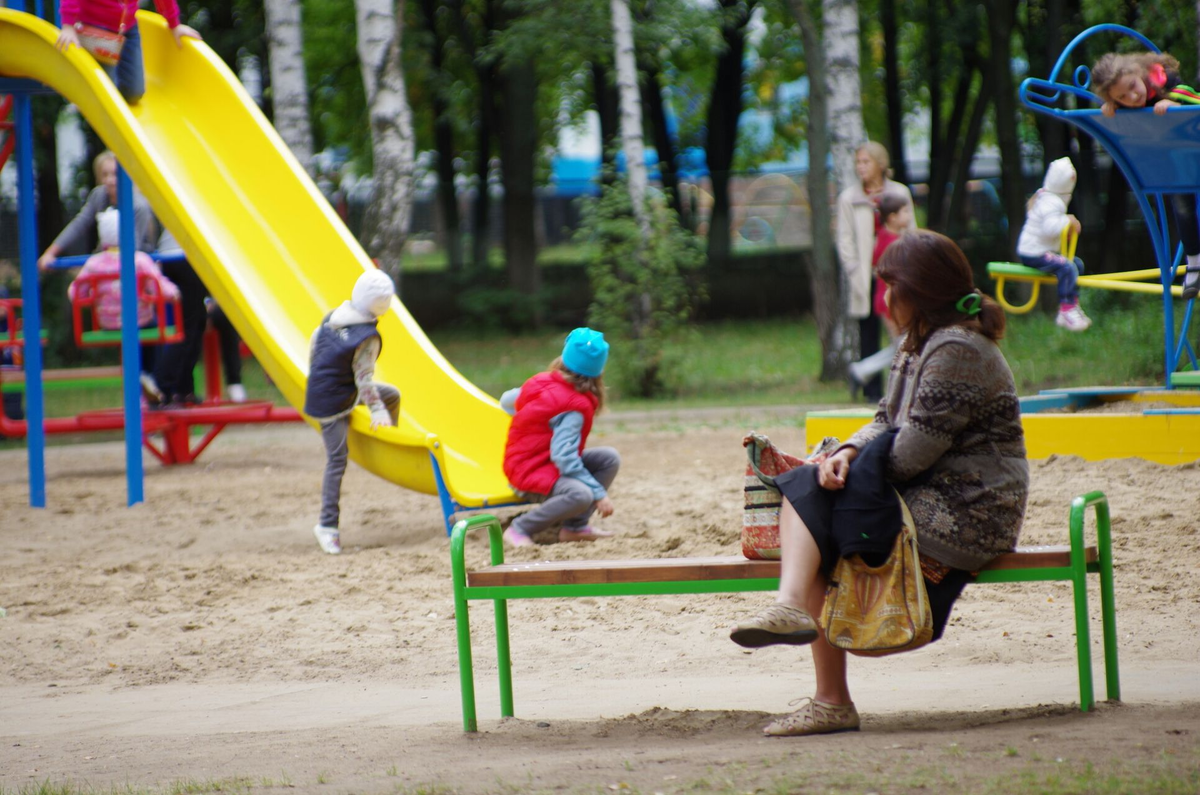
(1041, 240)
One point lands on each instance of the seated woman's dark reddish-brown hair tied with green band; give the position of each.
(929, 273)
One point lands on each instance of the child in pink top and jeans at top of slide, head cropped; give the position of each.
(110, 28)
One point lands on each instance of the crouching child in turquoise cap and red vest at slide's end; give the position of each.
(545, 458)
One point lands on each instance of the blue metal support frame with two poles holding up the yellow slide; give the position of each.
(32, 304)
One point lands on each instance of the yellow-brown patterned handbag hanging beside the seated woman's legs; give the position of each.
(881, 611)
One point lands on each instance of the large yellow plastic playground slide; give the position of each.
(267, 244)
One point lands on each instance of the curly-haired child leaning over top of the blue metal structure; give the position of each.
(1137, 81)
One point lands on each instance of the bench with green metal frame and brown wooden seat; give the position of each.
(560, 579)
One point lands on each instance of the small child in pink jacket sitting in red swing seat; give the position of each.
(107, 262)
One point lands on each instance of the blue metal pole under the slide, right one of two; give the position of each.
(131, 352)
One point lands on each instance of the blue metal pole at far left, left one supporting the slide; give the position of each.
(32, 301)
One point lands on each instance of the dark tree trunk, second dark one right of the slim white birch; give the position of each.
(724, 110)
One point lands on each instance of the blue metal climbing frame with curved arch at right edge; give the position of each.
(1159, 158)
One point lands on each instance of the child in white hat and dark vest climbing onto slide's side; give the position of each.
(341, 372)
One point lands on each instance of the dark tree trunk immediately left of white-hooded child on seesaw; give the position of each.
(1003, 17)
